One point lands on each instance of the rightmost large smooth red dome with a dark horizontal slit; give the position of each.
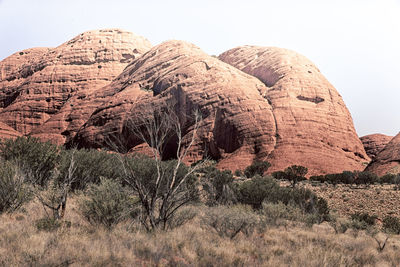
(313, 126)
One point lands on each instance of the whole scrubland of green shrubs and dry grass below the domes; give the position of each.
(93, 208)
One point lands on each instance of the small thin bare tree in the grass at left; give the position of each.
(55, 198)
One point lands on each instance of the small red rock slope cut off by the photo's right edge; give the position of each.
(388, 159)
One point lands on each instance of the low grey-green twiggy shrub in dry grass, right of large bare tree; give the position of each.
(229, 221)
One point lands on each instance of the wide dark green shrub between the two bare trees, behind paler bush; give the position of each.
(90, 165)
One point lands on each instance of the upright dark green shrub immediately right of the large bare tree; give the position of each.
(217, 184)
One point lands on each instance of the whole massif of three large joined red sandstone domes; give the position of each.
(257, 102)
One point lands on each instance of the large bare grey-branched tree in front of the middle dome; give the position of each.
(172, 185)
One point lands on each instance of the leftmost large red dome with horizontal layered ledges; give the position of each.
(36, 83)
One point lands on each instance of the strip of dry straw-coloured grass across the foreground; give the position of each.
(192, 244)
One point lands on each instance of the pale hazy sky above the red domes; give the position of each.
(355, 43)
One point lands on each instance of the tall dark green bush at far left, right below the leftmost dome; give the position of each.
(36, 159)
